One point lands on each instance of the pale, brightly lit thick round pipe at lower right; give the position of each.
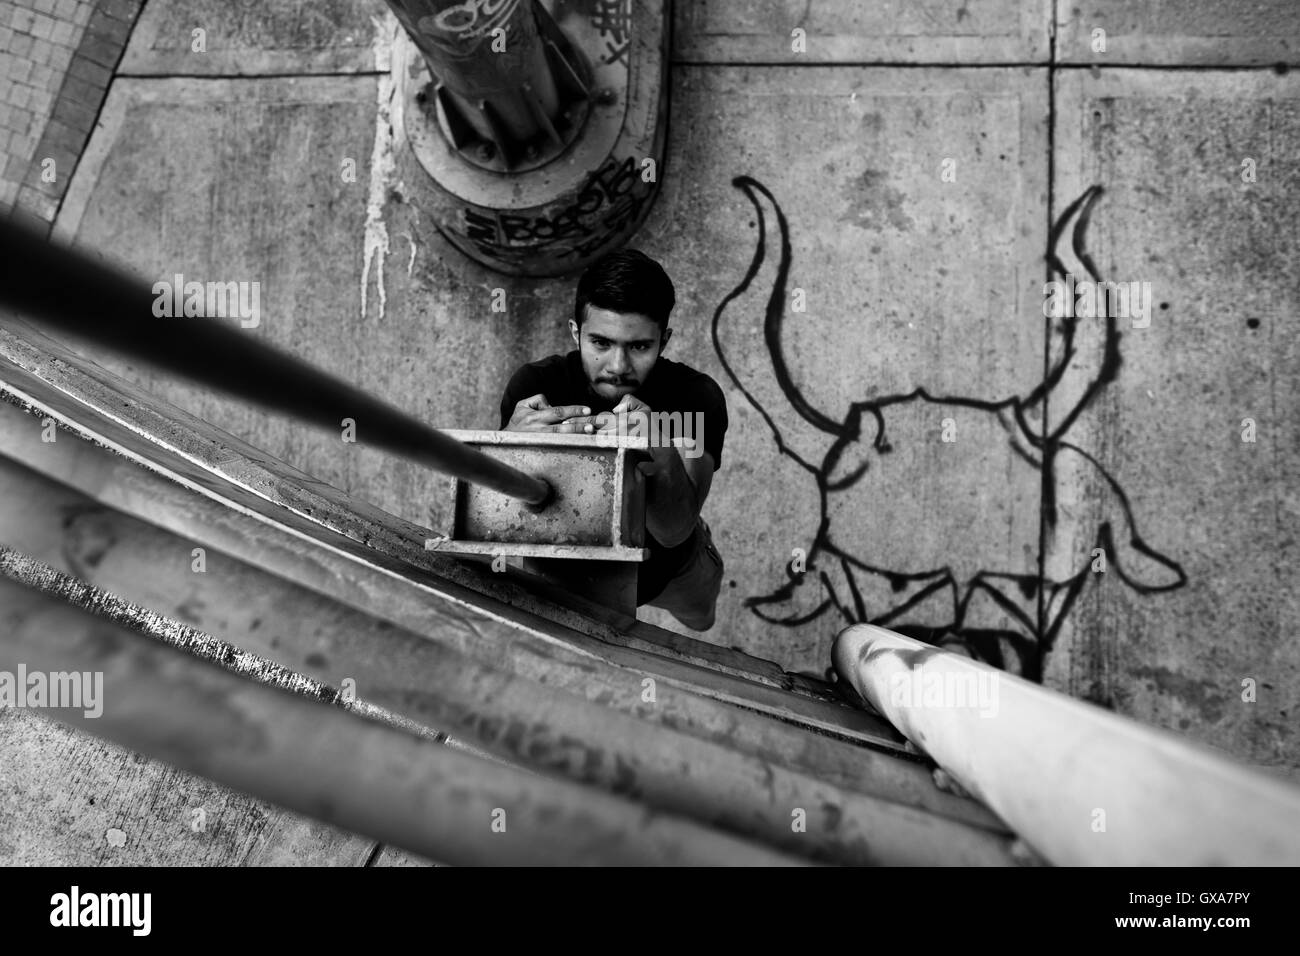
(1081, 785)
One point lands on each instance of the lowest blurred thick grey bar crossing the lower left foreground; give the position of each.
(331, 765)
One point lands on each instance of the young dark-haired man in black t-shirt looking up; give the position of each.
(618, 375)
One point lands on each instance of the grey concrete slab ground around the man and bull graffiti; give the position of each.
(912, 280)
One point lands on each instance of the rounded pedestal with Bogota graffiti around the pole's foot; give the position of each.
(561, 215)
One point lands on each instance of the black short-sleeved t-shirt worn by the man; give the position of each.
(671, 387)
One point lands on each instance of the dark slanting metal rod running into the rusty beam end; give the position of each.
(66, 289)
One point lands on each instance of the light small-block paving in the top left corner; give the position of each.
(57, 62)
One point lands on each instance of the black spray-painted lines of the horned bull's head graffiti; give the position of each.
(1038, 634)
